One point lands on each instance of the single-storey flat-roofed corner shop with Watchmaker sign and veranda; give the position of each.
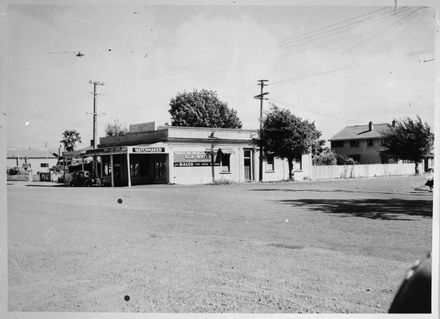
(187, 155)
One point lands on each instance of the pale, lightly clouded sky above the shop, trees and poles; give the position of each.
(336, 66)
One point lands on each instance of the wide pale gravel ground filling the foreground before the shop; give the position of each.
(312, 247)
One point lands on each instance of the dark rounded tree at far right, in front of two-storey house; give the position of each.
(407, 139)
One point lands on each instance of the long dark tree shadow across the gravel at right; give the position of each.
(388, 209)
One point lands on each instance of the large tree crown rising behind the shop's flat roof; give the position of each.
(202, 109)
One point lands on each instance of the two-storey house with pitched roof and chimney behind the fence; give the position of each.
(360, 142)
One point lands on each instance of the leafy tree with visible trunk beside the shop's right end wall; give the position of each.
(286, 135)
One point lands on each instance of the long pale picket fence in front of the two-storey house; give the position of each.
(362, 170)
